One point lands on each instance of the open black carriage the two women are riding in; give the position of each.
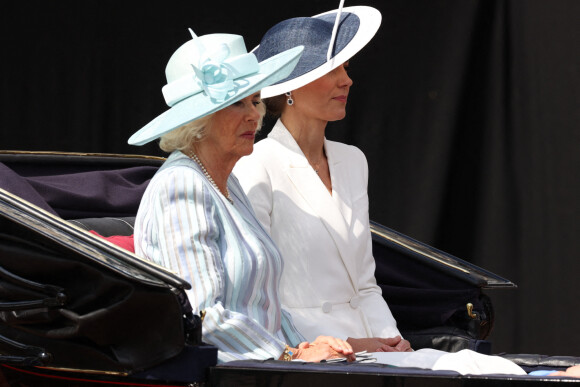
(78, 308)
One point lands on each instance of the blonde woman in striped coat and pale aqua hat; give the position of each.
(194, 217)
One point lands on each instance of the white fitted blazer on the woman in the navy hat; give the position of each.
(328, 282)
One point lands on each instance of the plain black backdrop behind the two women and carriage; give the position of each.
(468, 112)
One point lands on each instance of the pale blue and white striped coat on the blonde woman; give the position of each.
(186, 225)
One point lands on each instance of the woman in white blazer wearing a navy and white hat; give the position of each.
(311, 193)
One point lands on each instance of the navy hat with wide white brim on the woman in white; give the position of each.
(355, 28)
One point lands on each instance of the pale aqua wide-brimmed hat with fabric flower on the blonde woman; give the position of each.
(209, 73)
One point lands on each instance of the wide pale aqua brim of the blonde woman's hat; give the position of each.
(199, 105)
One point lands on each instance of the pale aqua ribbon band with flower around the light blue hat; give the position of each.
(215, 78)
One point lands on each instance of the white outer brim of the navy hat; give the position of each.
(370, 21)
